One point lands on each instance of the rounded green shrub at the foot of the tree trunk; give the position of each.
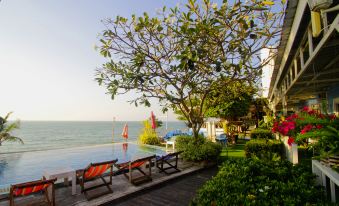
(197, 149)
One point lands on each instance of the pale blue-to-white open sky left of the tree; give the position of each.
(48, 60)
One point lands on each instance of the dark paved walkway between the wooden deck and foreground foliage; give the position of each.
(176, 192)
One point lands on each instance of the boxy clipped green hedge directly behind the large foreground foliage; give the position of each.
(260, 148)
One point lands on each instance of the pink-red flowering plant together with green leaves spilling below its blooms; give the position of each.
(314, 130)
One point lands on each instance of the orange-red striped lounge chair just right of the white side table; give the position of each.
(93, 172)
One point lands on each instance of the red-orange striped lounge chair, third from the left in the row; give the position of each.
(127, 169)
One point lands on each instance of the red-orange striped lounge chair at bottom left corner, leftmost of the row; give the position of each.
(28, 188)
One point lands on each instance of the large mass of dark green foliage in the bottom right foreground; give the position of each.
(260, 182)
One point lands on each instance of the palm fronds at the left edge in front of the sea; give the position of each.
(6, 128)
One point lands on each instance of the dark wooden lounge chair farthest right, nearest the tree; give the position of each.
(161, 161)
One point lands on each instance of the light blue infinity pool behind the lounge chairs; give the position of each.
(28, 166)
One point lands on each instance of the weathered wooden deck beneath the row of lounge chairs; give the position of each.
(120, 186)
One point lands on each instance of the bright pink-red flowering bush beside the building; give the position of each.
(307, 124)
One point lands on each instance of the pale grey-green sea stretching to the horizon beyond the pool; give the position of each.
(46, 135)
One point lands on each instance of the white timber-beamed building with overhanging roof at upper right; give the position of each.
(306, 69)
